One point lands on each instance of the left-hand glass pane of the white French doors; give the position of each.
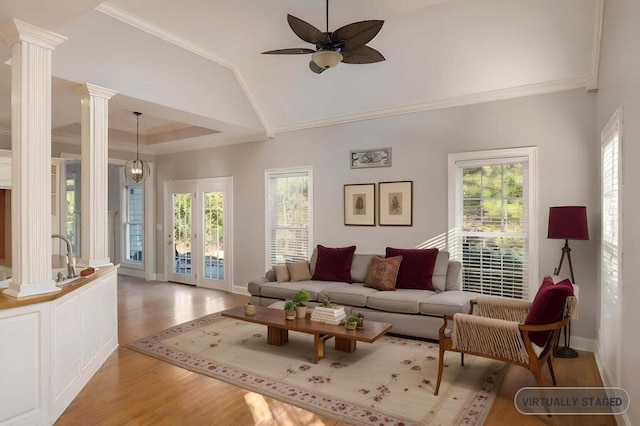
(182, 232)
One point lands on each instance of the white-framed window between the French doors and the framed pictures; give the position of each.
(289, 207)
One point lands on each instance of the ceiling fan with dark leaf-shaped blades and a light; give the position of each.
(346, 44)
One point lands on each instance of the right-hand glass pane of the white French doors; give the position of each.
(213, 235)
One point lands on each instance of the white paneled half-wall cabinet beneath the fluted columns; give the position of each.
(50, 350)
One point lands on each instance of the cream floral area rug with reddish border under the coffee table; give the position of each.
(389, 382)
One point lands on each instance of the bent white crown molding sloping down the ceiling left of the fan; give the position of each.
(156, 31)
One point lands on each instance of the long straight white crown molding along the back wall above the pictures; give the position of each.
(470, 99)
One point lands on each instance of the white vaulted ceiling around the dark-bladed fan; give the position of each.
(195, 70)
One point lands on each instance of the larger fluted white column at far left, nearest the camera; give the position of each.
(31, 157)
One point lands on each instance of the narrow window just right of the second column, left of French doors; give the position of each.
(134, 223)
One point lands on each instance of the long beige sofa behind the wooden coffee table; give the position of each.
(416, 313)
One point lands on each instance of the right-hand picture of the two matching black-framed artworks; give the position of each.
(395, 203)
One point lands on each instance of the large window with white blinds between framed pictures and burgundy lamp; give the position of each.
(491, 213)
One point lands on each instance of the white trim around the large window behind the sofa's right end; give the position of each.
(498, 156)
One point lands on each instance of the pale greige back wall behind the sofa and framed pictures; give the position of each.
(562, 125)
